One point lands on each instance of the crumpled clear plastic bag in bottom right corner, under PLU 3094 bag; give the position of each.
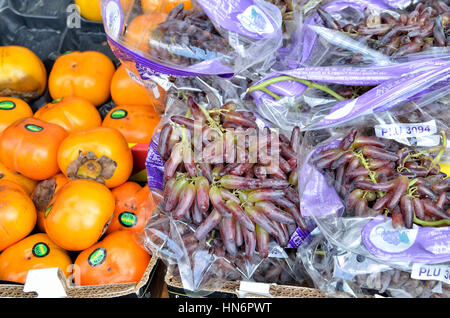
(339, 273)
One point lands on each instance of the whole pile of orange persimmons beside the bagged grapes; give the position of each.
(65, 193)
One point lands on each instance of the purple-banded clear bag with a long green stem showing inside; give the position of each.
(293, 97)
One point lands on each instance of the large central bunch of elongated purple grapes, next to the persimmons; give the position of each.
(227, 191)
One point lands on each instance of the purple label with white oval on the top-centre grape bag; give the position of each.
(245, 17)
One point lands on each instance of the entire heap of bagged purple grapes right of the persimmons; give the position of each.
(288, 118)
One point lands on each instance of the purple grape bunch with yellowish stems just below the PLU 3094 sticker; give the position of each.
(377, 176)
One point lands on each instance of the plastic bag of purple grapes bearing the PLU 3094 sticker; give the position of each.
(394, 138)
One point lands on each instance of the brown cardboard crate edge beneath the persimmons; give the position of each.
(148, 287)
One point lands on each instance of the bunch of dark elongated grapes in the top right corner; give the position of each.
(424, 27)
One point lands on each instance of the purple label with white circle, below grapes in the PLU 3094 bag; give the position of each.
(419, 244)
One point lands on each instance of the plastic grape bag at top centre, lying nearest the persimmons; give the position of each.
(210, 38)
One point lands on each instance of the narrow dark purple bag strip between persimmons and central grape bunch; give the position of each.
(155, 165)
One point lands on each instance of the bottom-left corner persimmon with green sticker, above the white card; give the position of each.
(33, 252)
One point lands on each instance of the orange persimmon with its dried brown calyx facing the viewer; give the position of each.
(101, 154)
